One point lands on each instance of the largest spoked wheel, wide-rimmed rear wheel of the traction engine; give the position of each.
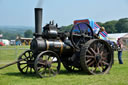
(96, 57)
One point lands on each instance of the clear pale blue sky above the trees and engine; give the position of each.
(63, 12)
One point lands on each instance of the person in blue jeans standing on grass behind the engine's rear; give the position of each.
(120, 45)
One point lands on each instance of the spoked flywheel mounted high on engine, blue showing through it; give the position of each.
(80, 34)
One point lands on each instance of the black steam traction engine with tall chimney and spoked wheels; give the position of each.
(78, 50)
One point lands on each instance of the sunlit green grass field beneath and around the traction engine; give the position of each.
(11, 76)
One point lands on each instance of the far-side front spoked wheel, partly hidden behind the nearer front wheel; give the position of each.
(27, 65)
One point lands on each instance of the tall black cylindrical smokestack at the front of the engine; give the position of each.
(38, 22)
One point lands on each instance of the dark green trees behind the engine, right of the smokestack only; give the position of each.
(113, 26)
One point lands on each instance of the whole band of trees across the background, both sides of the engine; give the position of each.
(113, 26)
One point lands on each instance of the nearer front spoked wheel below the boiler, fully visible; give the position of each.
(47, 64)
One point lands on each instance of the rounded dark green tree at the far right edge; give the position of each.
(122, 25)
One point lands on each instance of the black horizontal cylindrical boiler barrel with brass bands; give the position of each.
(54, 45)
